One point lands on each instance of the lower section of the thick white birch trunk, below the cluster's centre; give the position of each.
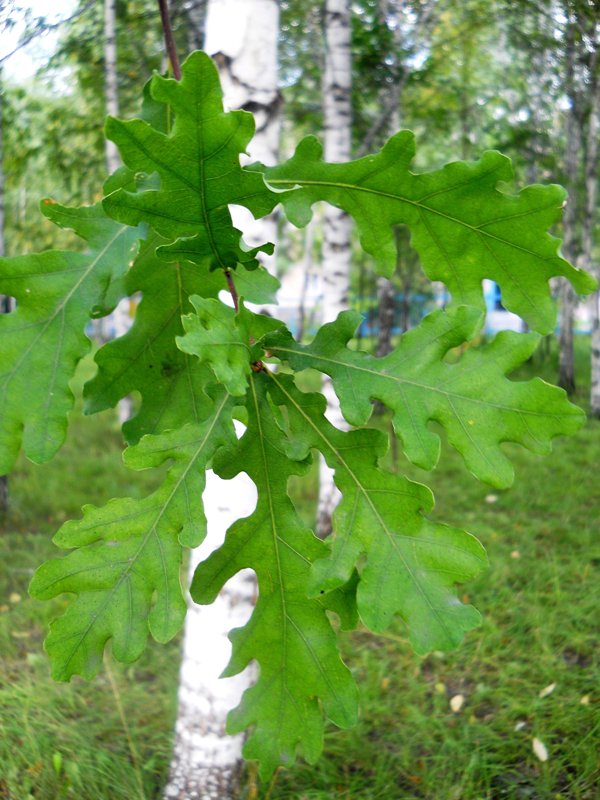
(206, 762)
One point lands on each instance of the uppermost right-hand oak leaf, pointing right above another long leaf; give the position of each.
(463, 227)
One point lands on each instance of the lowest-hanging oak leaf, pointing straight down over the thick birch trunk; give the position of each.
(289, 635)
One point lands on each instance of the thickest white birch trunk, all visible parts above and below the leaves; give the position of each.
(242, 37)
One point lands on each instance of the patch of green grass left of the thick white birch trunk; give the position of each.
(69, 740)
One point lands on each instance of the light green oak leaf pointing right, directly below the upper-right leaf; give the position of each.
(472, 399)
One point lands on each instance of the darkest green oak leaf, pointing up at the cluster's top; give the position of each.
(199, 168)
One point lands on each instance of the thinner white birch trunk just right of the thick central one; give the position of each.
(337, 249)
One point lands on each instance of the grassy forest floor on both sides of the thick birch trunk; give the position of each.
(458, 726)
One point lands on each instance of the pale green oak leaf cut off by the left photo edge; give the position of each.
(43, 339)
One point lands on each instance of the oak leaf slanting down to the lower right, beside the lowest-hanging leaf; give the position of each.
(411, 564)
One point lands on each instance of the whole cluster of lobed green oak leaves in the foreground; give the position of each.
(164, 230)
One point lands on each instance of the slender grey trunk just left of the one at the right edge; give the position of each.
(566, 366)
